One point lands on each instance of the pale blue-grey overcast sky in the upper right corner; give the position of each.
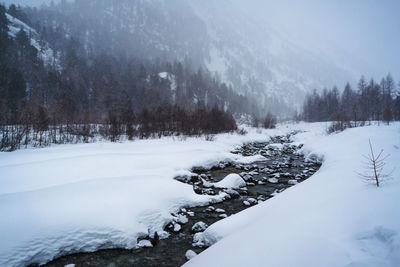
(365, 29)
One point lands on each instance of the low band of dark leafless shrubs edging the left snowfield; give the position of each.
(149, 123)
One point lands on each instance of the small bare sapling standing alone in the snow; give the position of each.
(374, 167)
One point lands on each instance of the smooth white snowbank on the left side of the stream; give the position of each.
(85, 197)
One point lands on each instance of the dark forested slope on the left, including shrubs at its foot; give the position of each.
(54, 89)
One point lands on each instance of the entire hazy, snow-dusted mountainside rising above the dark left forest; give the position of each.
(256, 60)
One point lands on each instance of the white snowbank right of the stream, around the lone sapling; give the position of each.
(332, 219)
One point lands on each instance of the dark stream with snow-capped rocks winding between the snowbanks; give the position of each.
(282, 167)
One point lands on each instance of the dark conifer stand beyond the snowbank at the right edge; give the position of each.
(370, 101)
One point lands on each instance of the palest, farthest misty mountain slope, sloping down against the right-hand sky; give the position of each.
(258, 59)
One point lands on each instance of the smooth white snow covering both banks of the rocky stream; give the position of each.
(71, 198)
